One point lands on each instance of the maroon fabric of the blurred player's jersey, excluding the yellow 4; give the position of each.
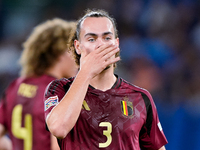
(32, 104)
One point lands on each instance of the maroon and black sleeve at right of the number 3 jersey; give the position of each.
(151, 135)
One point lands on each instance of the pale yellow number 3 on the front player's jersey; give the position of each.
(107, 133)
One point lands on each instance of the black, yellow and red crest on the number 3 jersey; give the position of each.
(126, 107)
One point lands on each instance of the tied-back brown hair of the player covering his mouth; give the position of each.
(90, 13)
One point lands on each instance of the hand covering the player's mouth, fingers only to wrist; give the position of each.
(97, 60)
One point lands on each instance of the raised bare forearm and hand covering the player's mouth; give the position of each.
(63, 117)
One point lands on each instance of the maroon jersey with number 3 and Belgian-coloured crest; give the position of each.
(121, 118)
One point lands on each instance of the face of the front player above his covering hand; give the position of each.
(96, 32)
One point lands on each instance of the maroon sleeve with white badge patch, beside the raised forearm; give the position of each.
(54, 93)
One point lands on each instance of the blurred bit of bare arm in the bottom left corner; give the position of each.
(5, 142)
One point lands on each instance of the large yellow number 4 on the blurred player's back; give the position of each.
(20, 132)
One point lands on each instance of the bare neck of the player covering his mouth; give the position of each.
(104, 81)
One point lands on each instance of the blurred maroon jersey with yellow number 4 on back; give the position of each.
(22, 113)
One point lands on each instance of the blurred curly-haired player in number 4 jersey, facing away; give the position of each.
(45, 57)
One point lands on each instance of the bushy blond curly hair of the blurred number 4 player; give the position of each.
(44, 46)
